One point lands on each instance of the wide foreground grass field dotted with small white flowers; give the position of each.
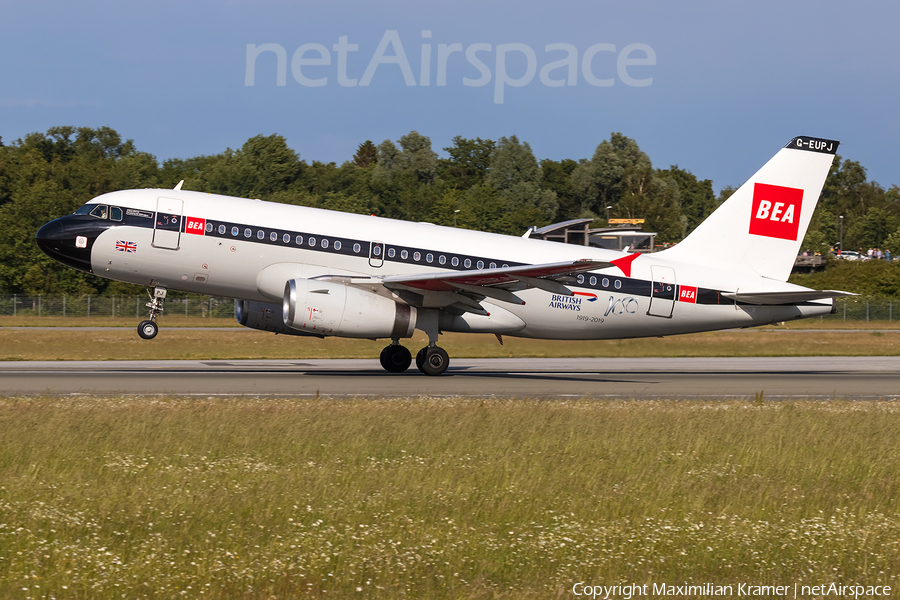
(440, 498)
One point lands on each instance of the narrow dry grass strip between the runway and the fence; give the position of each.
(175, 343)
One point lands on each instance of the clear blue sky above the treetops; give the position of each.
(714, 87)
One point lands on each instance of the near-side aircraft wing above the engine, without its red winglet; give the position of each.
(463, 290)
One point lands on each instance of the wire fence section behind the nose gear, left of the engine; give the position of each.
(114, 306)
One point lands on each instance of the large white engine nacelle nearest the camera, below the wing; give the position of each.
(326, 308)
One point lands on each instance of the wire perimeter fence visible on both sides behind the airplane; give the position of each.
(857, 308)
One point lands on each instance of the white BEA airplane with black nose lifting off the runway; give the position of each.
(311, 272)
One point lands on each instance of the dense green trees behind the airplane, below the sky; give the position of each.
(495, 186)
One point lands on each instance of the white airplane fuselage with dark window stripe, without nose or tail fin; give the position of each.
(221, 245)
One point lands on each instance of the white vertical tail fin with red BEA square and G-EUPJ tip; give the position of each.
(762, 225)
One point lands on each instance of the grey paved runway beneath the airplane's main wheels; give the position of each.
(778, 377)
